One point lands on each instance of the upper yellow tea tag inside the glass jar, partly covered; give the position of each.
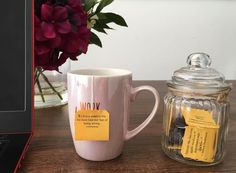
(198, 117)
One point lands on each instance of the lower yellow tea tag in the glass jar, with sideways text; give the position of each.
(200, 143)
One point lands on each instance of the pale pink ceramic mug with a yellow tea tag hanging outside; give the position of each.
(99, 101)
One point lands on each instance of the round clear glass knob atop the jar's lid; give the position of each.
(200, 60)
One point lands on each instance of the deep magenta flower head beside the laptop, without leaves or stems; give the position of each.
(60, 32)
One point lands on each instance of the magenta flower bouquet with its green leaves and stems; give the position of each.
(63, 30)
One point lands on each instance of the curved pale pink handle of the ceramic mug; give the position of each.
(134, 92)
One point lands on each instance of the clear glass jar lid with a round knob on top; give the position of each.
(198, 75)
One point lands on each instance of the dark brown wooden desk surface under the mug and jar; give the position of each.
(52, 149)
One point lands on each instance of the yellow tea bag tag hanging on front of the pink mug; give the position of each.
(92, 125)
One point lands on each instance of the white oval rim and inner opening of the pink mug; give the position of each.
(100, 72)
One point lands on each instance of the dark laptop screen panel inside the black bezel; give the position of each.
(12, 56)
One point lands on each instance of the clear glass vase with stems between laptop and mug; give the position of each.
(53, 88)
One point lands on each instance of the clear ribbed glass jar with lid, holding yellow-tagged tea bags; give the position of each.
(195, 118)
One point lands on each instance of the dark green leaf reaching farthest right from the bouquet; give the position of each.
(112, 17)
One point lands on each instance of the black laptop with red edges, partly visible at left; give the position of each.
(16, 82)
